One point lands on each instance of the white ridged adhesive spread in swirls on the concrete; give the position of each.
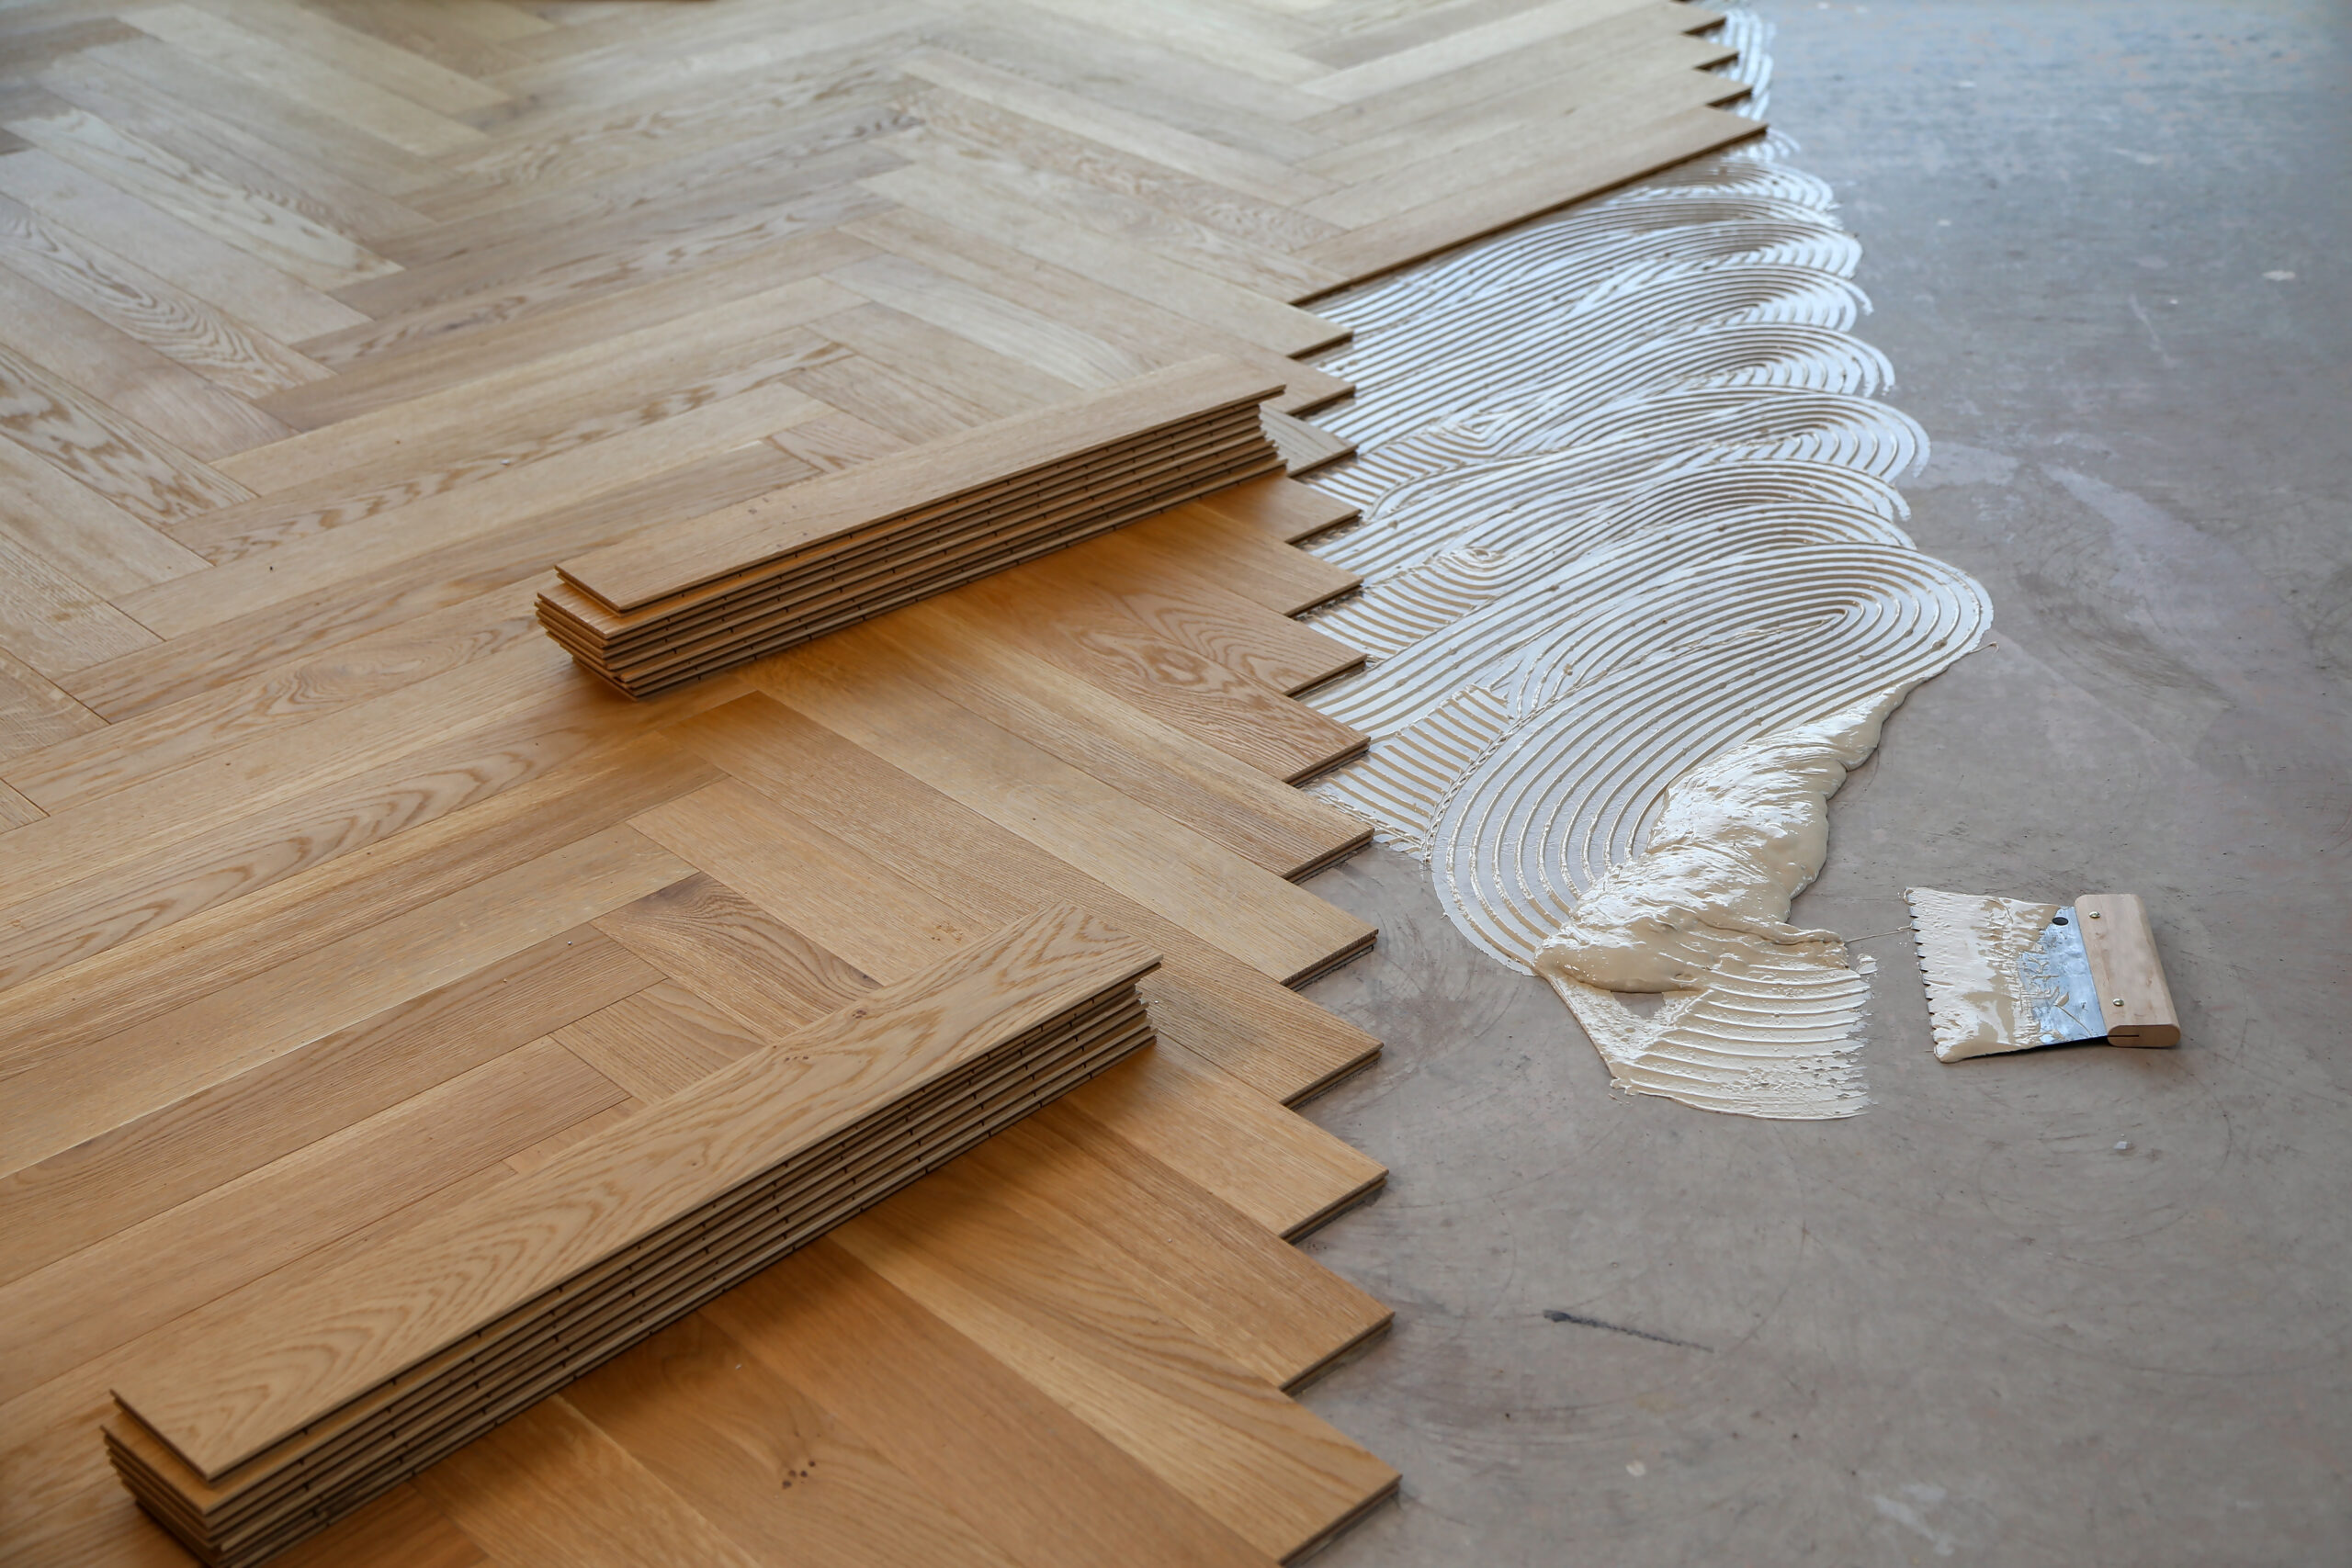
(1638, 598)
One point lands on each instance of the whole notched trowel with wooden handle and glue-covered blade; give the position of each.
(2012, 977)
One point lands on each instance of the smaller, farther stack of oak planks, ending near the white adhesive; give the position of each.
(707, 594)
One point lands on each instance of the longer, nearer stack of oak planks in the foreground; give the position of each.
(314, 1402)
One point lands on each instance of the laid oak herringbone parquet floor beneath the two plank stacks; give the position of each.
(330, 892)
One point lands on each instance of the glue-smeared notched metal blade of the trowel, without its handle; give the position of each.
(2003, 974)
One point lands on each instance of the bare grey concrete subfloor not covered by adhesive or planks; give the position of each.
(2071, 1308)
